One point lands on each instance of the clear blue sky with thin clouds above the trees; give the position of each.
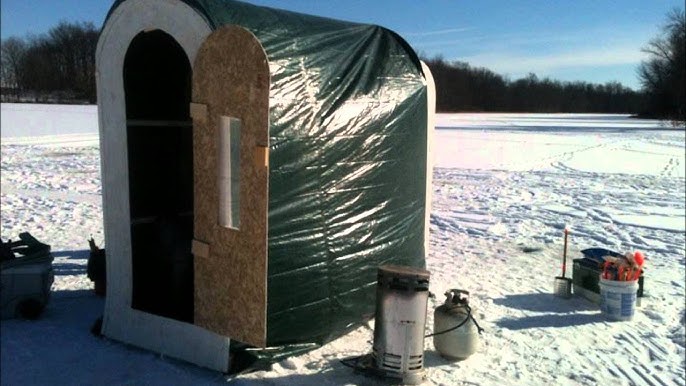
(593, 41)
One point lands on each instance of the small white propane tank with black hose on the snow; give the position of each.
(455, 334)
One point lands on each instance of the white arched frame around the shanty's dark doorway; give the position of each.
(121, 322)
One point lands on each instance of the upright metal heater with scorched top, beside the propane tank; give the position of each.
(402, 294)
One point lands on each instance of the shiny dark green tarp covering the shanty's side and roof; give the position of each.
(348, 153)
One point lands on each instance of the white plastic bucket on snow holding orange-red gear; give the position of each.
(618, 299)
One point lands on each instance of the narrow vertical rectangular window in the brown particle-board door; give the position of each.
(229, 171)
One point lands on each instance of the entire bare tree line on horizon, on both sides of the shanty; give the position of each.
(59, 66)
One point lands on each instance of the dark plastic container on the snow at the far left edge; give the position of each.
(26, 276)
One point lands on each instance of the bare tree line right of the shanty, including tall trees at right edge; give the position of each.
(462, 88)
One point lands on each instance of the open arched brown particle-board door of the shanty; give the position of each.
(231, 79)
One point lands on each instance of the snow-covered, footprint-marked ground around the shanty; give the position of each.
(503, 184)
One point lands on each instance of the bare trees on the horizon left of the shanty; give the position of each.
(58, 66)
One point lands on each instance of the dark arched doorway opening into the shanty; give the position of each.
(157, 85)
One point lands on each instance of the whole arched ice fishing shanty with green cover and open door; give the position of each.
(258, 165)
